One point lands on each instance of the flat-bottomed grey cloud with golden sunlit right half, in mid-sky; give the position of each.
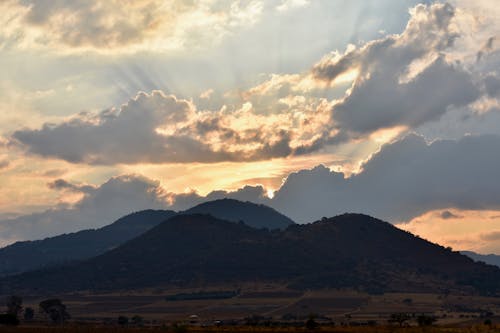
(159, 128)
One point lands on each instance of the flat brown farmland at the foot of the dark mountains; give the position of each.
(272, 305)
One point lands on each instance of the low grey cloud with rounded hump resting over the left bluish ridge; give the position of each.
(99, 206)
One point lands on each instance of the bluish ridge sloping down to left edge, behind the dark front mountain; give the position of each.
(29, 255)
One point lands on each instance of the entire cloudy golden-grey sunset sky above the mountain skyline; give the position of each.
(313, 107)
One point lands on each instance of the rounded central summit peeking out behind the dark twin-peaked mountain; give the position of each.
(254, 215)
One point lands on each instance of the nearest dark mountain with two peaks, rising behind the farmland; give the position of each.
(347, 251)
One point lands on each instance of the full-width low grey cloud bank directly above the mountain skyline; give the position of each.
(402, 182)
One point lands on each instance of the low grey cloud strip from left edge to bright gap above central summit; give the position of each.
(103, 204)
